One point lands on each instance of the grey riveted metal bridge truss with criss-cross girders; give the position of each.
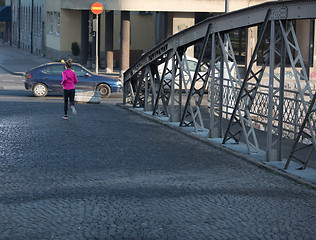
(161, 80)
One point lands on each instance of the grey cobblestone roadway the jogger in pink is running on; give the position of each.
(109, 174)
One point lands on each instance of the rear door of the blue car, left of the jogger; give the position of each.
(53, 77)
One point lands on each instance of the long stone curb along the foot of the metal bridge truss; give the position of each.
(242, 156)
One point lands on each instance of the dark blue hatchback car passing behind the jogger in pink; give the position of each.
(47, 78)
